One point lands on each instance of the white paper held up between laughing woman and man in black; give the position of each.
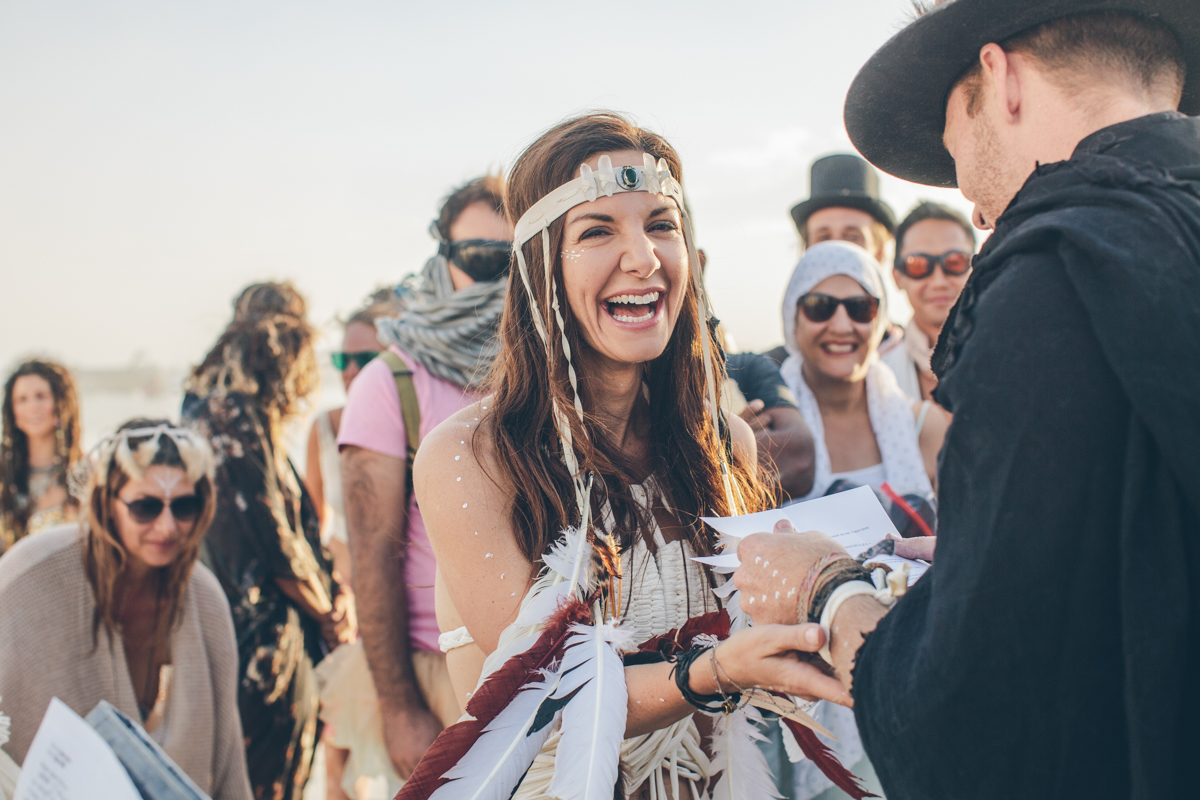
(855, 520)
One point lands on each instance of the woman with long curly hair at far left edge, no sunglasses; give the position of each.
(39, 446)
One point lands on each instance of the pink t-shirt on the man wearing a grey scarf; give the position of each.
(373, 420)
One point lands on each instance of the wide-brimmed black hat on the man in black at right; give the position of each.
(896, 110)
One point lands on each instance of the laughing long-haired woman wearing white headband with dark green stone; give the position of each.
(602, 411)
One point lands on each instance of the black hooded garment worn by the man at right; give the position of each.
(1054, 651)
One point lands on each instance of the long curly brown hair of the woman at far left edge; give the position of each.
(15, 512)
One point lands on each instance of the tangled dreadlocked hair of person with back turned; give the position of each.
(266, 352)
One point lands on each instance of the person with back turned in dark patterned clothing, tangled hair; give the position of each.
(266, 542)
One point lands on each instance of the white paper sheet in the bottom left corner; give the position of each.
(69, 761)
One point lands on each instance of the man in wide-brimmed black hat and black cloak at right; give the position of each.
(1053, 649)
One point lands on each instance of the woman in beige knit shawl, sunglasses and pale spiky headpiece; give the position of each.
(117, 609)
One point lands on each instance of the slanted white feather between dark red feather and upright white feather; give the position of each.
(499, 760)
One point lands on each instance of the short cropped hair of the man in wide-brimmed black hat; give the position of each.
(1121, 47)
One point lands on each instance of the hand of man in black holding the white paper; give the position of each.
(773, 567)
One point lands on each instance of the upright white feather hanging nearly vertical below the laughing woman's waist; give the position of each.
(589, 757)
